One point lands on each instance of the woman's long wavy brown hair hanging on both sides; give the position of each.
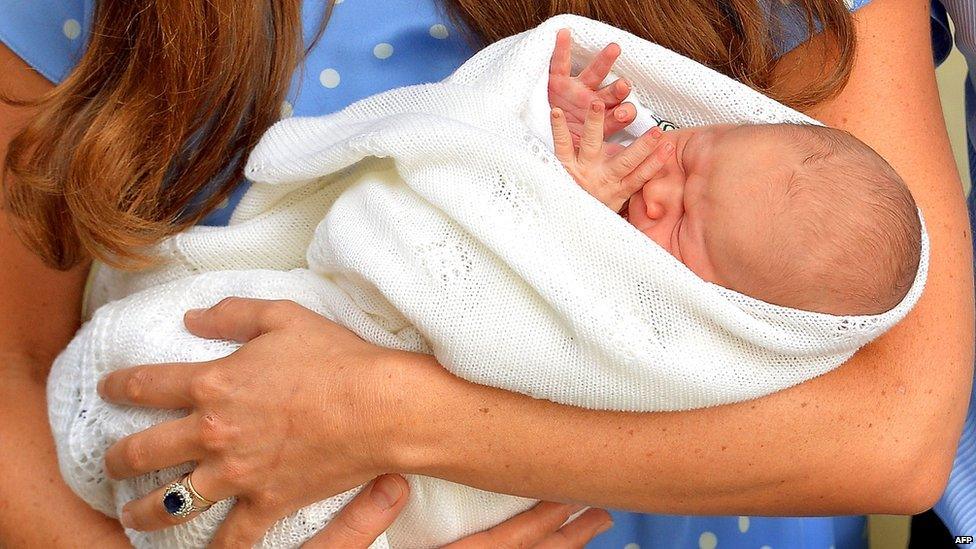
(150, 131)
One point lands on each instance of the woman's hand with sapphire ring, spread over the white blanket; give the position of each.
(294, 416)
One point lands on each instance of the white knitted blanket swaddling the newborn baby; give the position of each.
(436, 219)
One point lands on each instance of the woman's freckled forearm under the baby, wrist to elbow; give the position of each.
(843, 443)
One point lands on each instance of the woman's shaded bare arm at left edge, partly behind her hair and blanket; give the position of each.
(39, 312)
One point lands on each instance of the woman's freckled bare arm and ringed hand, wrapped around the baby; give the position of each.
(876, 435)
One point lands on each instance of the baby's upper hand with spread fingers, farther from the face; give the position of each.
(573, 95)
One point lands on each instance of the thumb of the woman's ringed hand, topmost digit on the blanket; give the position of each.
(241, 319)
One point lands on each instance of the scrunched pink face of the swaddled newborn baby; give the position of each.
(710, 205)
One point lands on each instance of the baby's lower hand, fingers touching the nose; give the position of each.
(611, 179)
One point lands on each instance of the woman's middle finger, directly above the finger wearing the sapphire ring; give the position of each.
(165, 445)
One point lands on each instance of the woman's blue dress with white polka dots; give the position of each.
(369, 47)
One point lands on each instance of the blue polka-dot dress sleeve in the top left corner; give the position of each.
(49, 35)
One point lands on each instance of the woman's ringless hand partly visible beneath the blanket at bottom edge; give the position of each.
(371, 512)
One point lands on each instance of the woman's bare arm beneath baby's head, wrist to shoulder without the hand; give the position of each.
(876, 435)
